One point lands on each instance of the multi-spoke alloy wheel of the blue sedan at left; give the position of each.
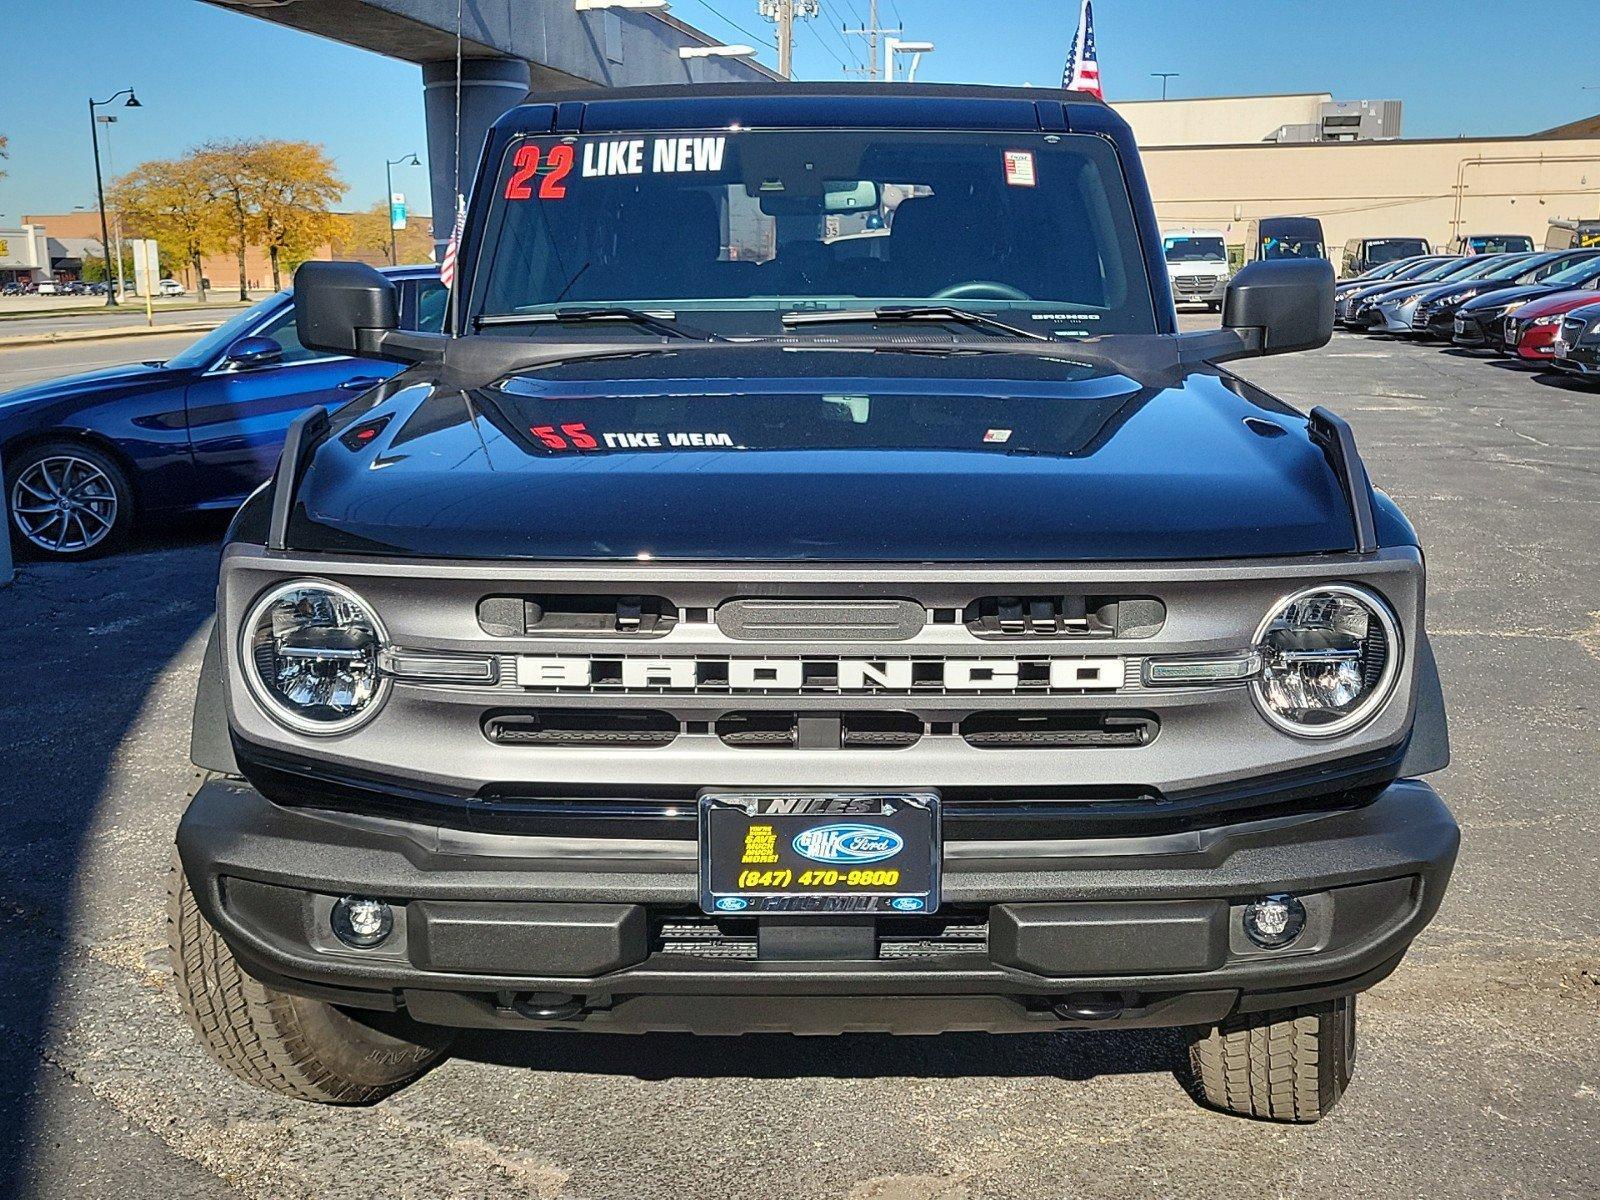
(68, 502)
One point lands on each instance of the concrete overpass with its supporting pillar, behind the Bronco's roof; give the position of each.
(510, 47)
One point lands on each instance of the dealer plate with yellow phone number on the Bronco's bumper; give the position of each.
(751, 857)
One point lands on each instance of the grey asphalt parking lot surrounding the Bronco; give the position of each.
(1479, 1065)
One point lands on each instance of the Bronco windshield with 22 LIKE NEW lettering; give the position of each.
(743, 228)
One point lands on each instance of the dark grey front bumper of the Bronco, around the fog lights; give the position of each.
(602, 934)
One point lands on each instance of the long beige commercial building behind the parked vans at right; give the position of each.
(1209, 167)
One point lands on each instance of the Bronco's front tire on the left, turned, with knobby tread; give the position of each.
(281, 1042)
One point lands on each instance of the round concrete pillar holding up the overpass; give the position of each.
(489, 87)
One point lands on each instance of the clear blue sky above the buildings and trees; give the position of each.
(1462, 66)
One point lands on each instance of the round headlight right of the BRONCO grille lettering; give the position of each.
(1329, 660)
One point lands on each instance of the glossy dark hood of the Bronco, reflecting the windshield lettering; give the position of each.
(769, 454)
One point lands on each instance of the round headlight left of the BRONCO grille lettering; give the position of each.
(311, 657)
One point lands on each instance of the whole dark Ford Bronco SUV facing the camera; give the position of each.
(812, 586)
